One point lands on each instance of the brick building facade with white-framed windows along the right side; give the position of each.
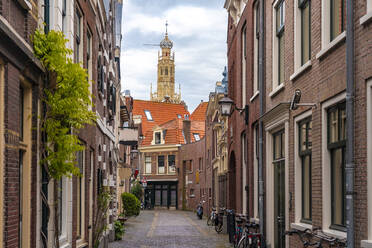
(304, 148)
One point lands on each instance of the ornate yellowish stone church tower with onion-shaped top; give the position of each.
(165, 91)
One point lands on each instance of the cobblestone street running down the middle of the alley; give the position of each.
(170, 229)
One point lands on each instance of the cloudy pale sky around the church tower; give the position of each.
(198, 31)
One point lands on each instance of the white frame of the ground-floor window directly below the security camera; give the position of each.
(298, 174)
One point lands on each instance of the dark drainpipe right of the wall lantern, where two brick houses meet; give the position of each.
(261, 193)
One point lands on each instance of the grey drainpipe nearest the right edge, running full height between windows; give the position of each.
(349, 170)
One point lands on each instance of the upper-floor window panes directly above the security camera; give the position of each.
(304, 6)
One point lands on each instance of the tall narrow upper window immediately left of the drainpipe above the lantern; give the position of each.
(256, 27)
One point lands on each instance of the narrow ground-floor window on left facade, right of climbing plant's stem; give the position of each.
(80, 195)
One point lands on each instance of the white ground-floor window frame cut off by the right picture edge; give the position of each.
(368, 243)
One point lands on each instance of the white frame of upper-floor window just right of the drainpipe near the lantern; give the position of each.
(276, 87)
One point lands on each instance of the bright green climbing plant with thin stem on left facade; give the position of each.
(67, 105)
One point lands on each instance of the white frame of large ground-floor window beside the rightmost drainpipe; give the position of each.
(326, 169)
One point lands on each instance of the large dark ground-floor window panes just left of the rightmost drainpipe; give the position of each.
(336, 118)
